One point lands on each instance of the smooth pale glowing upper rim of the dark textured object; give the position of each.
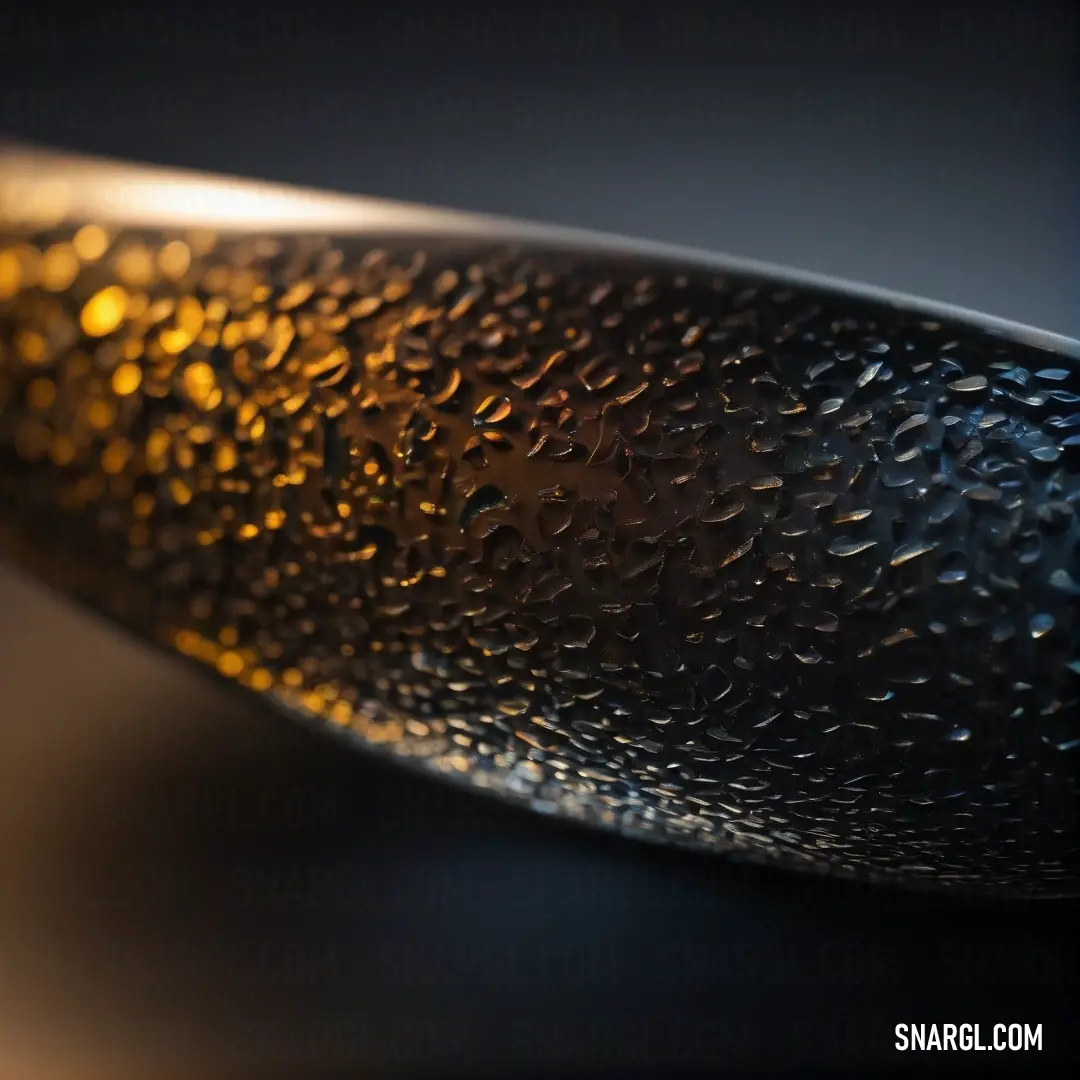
(43, 187)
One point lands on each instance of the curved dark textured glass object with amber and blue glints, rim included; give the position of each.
(684, 550)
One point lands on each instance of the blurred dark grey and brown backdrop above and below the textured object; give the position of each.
(192, 887)
